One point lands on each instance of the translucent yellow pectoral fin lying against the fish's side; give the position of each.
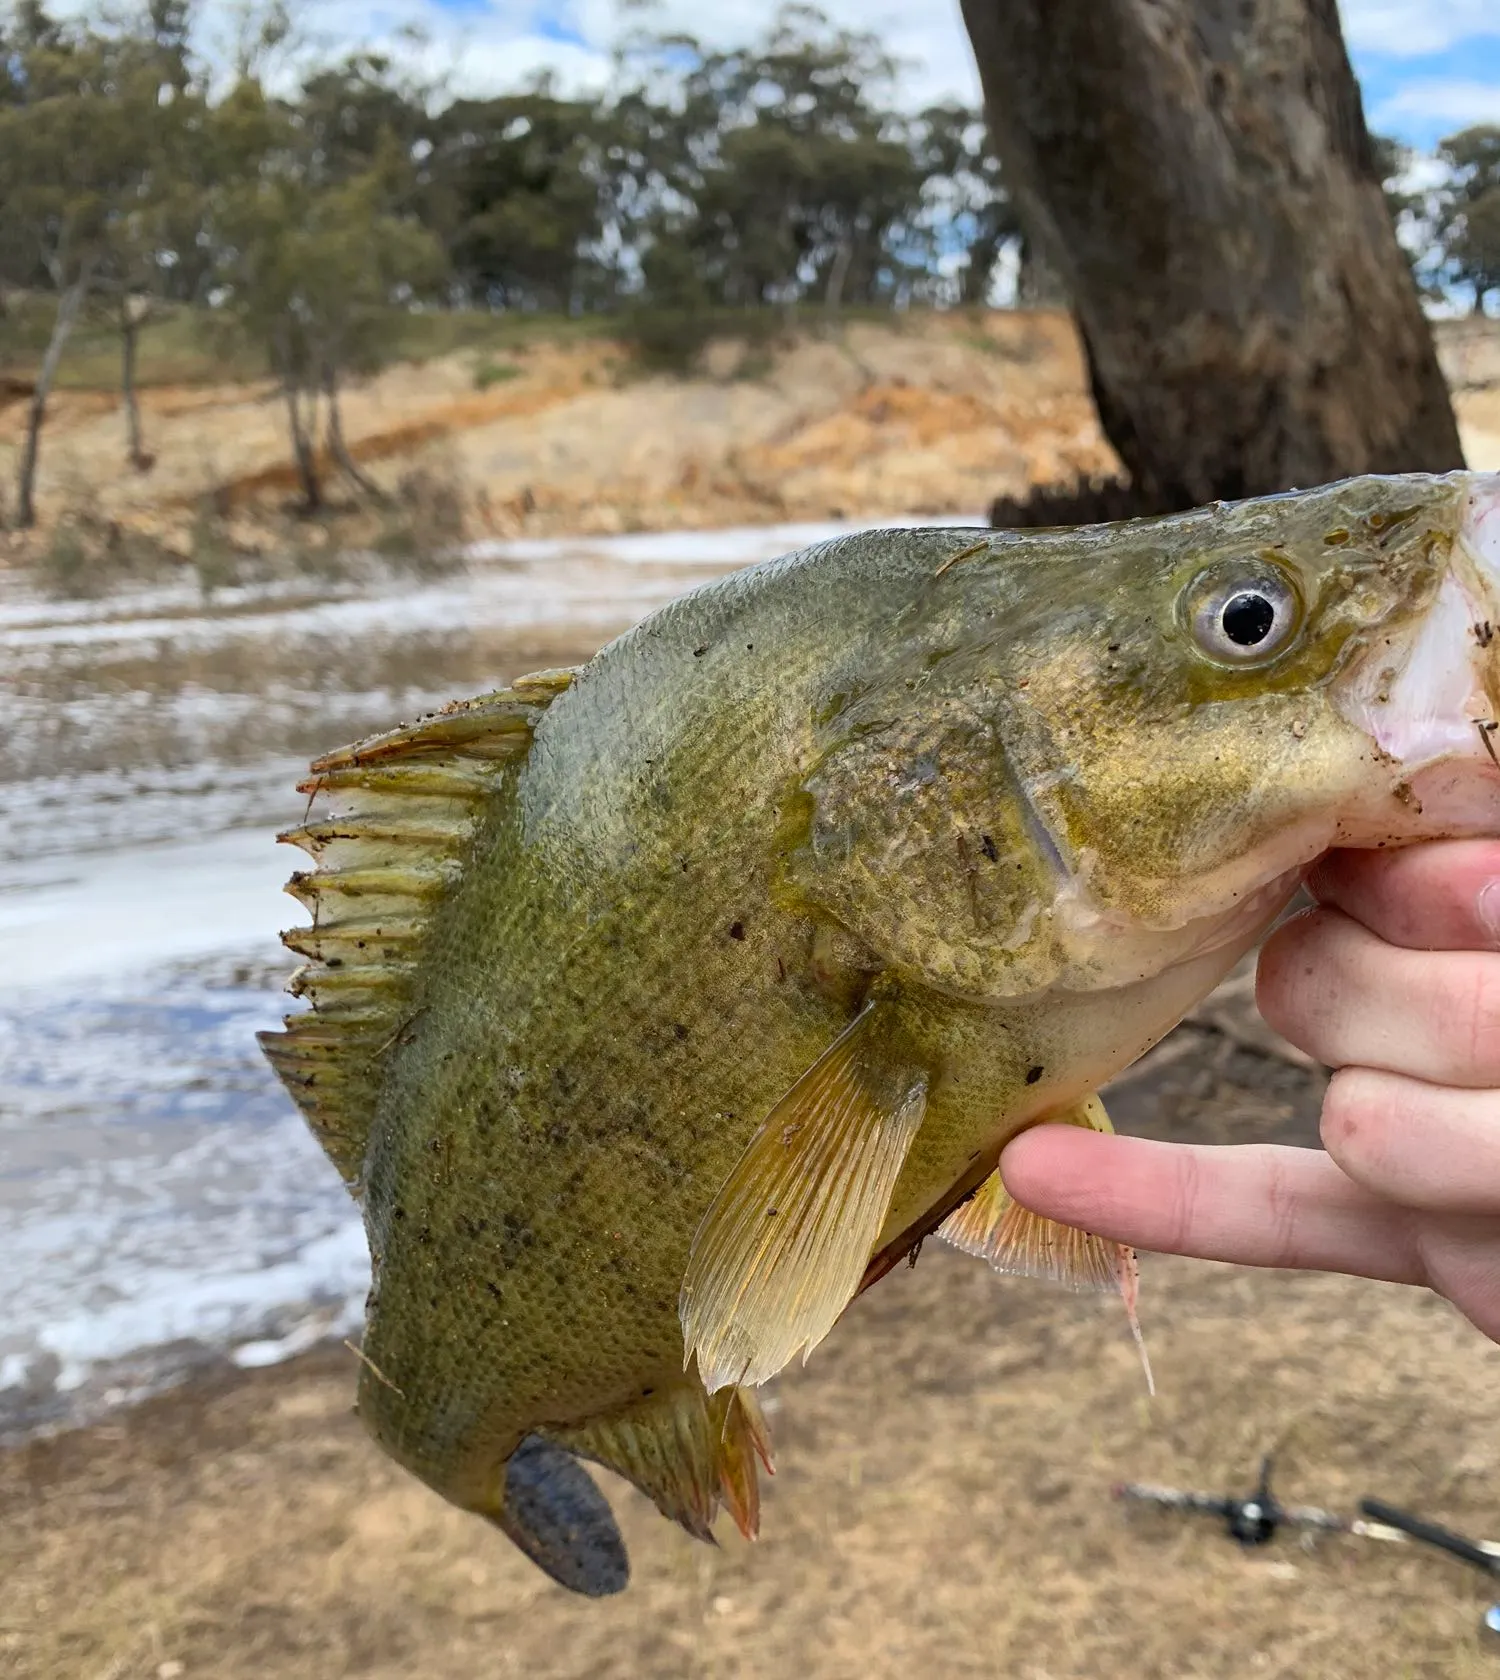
(784, 1247)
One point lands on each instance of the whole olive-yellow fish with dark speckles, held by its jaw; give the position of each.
(659, 1007)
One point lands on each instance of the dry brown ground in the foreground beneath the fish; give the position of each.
(943, 1499)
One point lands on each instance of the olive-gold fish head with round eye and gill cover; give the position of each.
(1118, 748)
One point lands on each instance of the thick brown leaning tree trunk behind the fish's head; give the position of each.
(1200, 176)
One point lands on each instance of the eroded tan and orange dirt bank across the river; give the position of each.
(923, 414)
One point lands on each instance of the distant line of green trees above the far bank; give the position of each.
(300, 213)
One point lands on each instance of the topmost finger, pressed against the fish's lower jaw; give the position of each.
(1444, 896)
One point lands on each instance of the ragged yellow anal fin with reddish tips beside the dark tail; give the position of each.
(688, 1451)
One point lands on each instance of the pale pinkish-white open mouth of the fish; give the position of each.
(1432, 698)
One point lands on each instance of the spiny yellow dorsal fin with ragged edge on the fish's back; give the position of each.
(402, 811)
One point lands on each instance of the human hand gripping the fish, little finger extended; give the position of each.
(1395, 982)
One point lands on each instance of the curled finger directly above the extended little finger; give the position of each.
(1425, 1147)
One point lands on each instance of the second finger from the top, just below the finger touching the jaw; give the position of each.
(1346, 997)
